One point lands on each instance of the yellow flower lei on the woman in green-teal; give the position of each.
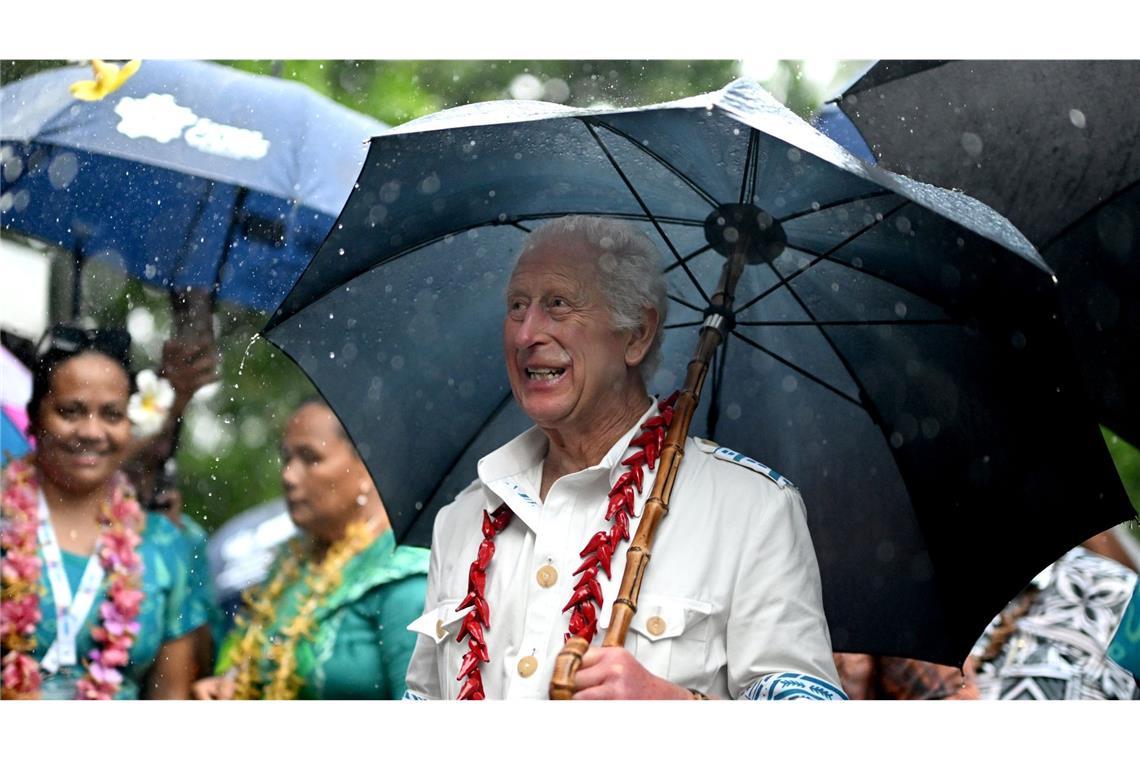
(324, 578)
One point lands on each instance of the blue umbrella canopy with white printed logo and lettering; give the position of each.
(191, 175)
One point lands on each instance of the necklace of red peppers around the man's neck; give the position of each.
(588, 593)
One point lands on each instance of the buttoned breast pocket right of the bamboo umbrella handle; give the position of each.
(671, 638)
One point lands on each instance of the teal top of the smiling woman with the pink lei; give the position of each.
(170, 610)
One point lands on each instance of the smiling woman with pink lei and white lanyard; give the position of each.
(96, 601)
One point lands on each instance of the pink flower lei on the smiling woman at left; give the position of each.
(20, 604)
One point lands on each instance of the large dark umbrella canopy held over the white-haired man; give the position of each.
(894, 354)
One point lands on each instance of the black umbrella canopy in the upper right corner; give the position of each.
(1053, 146)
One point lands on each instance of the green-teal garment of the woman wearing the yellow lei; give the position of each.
(362, 647)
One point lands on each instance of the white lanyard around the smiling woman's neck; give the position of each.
(70, 612)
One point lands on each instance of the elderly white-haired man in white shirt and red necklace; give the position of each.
(534, 550)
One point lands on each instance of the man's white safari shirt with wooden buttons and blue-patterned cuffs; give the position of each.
(730, 604)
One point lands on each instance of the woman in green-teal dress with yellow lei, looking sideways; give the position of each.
(331, 622)
